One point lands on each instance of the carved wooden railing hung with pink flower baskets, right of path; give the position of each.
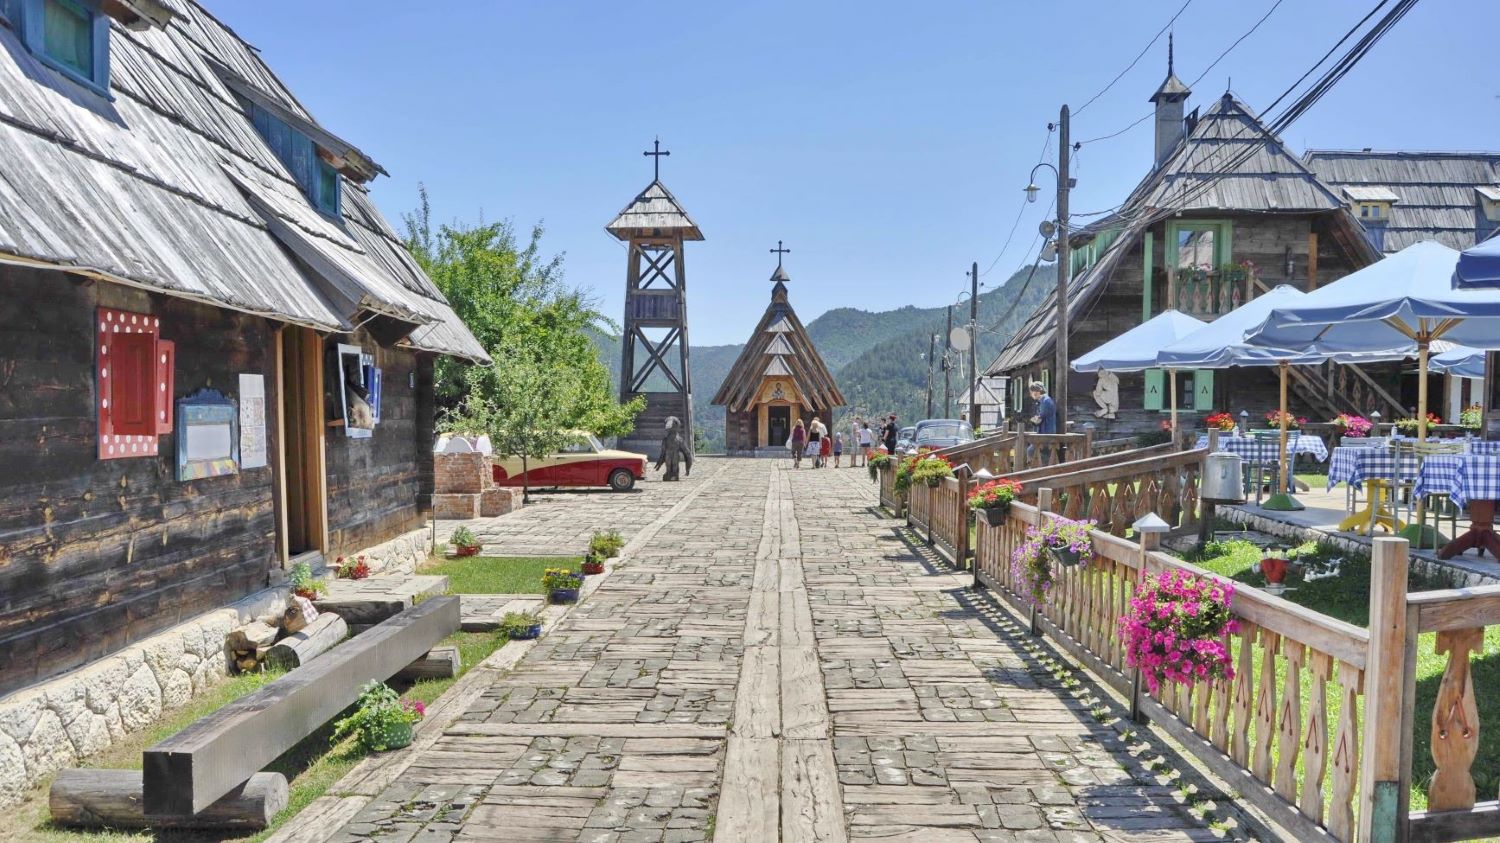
(1289, 761)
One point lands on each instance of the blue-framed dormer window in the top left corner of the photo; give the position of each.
(71, 37)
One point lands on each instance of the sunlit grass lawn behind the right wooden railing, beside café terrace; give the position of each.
(1348, 599)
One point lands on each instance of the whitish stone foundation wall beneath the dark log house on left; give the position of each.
(53, 725)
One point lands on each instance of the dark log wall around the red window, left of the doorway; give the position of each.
(98, 554)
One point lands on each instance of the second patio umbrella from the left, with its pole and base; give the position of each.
(1222, 346)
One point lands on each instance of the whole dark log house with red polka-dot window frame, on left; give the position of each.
(217, 356)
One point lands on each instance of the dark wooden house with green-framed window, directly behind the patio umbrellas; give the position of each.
(1225, 214)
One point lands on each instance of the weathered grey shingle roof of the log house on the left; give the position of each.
(169, 187)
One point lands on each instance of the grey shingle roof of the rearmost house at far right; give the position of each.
(1436, 191)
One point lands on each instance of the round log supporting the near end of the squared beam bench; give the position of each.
(113, 799)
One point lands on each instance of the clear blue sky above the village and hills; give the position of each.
(887, 146)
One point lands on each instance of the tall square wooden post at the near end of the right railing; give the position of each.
(1381, 773)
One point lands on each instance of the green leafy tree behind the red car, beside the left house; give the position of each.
(515, 301)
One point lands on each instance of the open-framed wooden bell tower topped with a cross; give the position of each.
(653, 350)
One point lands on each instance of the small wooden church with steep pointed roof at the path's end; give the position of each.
(778, 380)
